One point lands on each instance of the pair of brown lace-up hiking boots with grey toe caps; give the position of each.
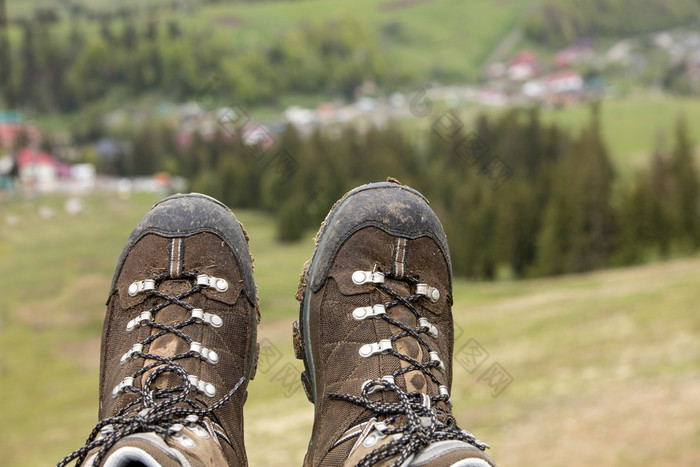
(375, 333)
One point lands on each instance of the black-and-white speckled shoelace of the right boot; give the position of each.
(421, 412)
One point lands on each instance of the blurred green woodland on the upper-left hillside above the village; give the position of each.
(67, 66)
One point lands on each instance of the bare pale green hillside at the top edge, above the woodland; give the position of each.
(420, 37)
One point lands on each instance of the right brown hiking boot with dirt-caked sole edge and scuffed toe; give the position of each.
(376, 336)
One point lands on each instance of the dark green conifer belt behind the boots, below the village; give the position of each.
(558, 207)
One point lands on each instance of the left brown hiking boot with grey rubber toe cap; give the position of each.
(179, 342)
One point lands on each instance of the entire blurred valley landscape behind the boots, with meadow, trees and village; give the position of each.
(557, 140)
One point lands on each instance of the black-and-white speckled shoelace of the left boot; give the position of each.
(163, 411)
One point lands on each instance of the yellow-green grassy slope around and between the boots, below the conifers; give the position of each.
(604, 366)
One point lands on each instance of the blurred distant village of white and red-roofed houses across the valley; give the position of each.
(571, 76)
